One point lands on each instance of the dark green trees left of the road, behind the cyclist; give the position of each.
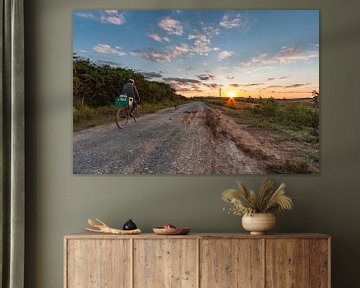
(98, 85)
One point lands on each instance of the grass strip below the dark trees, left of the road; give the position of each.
(86, 117)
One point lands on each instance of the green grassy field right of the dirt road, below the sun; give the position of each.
(288, 121)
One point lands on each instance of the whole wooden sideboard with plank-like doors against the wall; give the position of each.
(197, 260)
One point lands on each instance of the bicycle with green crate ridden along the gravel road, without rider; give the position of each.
(123, 114)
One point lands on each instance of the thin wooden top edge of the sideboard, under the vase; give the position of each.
(88, 235)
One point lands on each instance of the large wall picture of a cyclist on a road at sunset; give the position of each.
(196, 92)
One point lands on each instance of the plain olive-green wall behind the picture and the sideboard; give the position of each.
(59, 203)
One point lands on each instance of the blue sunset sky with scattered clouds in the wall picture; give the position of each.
(245, 53)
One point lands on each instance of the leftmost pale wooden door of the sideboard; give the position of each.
(98, 263)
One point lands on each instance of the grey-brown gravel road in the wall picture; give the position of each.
(185, 141)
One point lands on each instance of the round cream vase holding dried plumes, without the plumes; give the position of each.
(259, 223)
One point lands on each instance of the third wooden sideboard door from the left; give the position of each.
(231, 263)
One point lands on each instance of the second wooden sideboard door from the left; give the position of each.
(165, 263)
